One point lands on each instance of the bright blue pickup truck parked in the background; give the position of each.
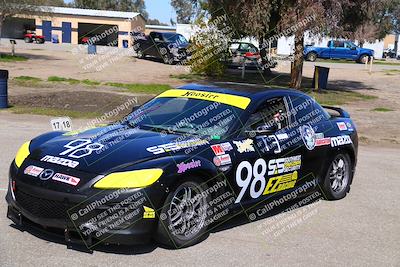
(338, 50)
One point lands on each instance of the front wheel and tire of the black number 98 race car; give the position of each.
(182, 221)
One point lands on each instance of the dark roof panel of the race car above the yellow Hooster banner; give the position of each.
(250, 91)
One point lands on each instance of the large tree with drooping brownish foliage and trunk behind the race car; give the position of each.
(268, 19)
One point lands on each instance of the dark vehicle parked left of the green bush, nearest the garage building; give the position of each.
(167, 46)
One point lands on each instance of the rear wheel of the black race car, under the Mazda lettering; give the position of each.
(336, 183)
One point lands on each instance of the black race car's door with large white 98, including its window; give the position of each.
(264, 164)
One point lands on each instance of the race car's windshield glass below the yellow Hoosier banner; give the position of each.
(184, 115)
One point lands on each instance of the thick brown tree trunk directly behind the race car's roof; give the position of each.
(297, 64)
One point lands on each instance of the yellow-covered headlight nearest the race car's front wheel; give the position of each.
(132, 179)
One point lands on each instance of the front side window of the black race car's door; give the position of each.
(271, 114)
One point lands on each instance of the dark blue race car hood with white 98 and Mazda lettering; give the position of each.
(108, 148)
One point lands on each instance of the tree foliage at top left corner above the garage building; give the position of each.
(11, 8)
